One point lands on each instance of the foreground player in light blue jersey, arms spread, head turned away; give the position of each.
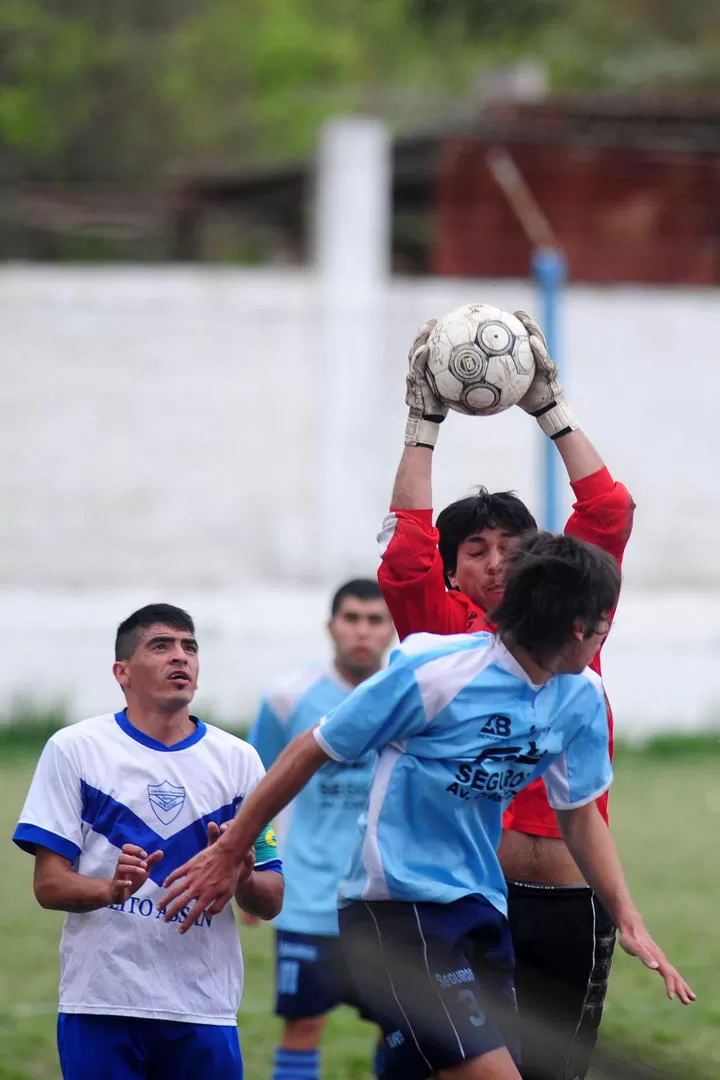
(461, 723)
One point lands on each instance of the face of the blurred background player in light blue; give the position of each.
(362, 631)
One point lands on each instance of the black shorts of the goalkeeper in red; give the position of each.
(564, 941)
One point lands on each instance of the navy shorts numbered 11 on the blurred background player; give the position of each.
(311, 977)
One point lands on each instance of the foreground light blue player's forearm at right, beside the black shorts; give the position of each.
(592, 846)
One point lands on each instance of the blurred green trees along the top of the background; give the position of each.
(101, 91)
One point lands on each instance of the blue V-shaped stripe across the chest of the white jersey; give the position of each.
(119, 826)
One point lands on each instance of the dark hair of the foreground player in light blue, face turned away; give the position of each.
(551, 582)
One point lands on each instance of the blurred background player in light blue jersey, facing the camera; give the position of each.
(319, 828)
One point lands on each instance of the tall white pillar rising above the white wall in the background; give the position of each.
(352, 251)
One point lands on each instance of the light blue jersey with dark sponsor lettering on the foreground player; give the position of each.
(460, 730)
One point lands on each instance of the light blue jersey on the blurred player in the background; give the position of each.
(320, 828)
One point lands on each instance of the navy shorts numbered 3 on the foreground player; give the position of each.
(438, 979)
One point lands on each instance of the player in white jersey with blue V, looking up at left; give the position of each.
(117, 802)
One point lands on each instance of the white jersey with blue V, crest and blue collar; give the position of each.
(102, 784)
